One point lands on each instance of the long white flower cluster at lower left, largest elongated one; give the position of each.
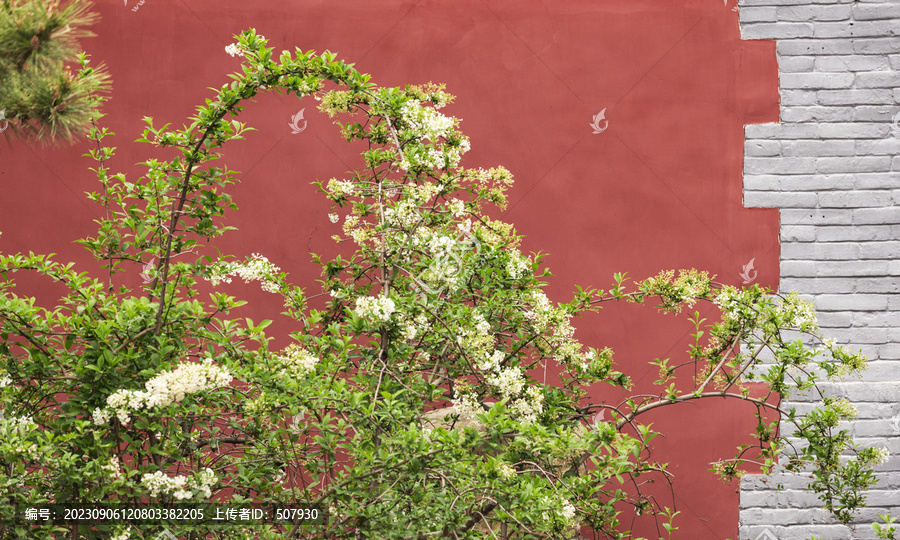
(164, 389)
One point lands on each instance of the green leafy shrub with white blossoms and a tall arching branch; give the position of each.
(409, 406)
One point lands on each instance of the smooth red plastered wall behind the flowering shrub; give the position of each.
(660, 188)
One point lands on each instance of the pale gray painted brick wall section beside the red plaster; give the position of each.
(832, 165)
